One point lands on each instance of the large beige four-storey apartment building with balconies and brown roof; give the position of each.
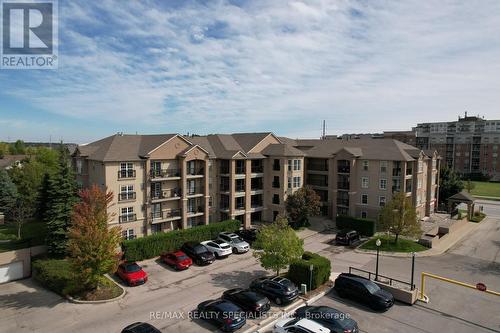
(166, 182)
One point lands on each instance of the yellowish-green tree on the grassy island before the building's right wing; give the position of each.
(399, 217)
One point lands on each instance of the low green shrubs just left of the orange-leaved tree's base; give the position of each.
(54, 274)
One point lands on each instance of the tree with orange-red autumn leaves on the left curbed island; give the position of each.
(92, 245)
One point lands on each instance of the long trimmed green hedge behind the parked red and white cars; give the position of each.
(152, 246)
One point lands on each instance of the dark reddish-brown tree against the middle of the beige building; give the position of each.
(301, 205)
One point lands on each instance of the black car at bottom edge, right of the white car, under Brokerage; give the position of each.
(333, 319)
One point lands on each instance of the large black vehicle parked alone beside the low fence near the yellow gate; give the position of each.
(364, 291)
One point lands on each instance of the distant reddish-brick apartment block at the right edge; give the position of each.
(470, 145)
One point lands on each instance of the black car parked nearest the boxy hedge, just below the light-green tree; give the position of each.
(278, 289)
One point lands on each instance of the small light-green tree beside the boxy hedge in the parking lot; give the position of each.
(279, 245)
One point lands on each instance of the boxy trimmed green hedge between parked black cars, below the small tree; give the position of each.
(299, 270)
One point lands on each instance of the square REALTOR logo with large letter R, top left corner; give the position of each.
(29, 34)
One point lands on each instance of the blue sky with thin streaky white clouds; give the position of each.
(180, 66)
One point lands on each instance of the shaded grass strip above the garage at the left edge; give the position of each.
(32, 234)
